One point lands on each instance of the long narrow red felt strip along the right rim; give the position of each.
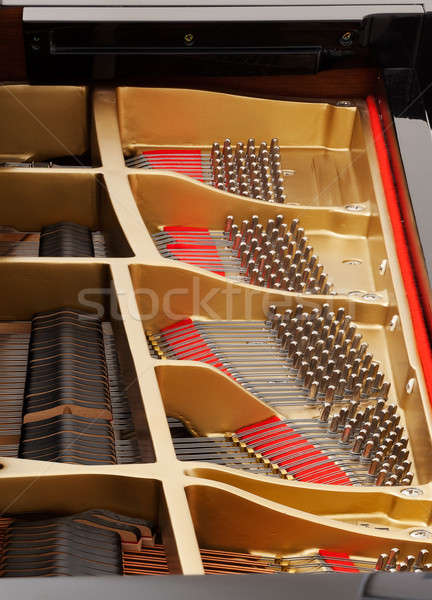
(402, 246)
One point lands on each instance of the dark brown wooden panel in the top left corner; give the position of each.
(12, 57)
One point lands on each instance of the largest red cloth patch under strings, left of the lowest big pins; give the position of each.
(293, 444)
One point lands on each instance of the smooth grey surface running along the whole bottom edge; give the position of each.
(378, 586)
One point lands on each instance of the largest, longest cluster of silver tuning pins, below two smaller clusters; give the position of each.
(334, 364)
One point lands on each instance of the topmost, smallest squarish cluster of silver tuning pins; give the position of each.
(248, 171)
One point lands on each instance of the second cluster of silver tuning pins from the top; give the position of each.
(276, 255)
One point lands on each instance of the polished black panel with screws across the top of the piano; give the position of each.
(132, 51)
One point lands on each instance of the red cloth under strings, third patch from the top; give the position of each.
(186, 343)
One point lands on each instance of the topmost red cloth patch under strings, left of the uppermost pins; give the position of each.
(181, 160)
